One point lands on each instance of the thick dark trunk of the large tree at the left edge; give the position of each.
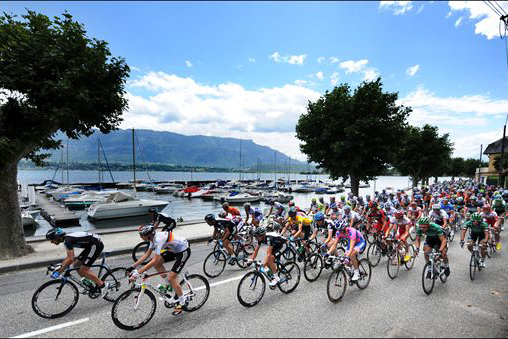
(12, 239)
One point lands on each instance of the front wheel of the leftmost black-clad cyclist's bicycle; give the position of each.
(54, 299)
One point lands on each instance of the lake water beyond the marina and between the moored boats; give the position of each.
(188, 209)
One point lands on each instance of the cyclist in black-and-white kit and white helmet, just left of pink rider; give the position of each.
(275, 243)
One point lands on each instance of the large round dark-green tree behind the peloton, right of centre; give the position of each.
(352, 135)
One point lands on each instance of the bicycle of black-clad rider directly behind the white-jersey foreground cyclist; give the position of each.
(215, 262)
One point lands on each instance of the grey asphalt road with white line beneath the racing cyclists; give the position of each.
(387, 308)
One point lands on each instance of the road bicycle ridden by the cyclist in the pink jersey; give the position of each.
(337, 282)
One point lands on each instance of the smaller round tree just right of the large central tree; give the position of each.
(423, 153)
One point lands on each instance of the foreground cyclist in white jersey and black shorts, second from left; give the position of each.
(167, 247)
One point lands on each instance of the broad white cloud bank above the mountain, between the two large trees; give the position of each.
(182, 105)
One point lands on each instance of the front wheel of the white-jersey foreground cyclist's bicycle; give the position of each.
(133, 309)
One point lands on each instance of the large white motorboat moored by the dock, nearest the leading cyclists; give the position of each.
(120, 205)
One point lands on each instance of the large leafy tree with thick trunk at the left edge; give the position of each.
(52, 77)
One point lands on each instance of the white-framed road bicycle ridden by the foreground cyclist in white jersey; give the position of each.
(135, 307)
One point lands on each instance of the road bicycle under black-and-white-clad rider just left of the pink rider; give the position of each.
(252, 286)
